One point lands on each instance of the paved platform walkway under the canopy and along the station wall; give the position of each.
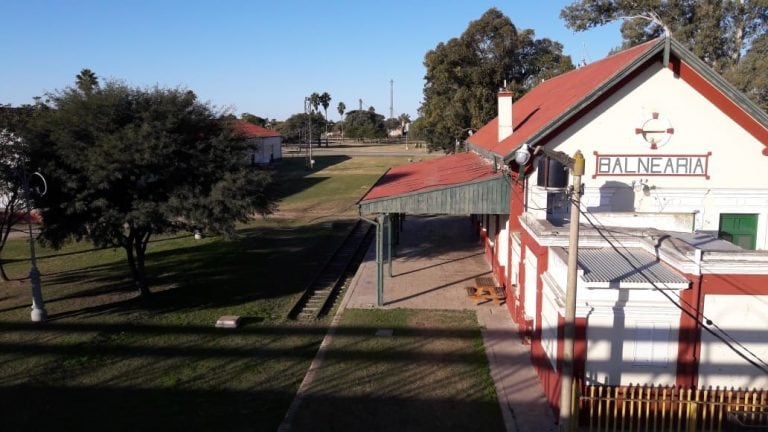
(437, 257)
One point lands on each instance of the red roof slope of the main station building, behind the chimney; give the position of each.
(551, 99)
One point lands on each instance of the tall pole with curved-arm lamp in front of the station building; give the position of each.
(576, 165)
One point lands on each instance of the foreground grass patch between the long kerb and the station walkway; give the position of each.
(431, 374)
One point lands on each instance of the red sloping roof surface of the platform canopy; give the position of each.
(432, 174)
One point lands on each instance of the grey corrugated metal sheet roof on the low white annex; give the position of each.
(627, 266)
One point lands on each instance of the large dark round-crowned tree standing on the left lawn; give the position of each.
(124, 164)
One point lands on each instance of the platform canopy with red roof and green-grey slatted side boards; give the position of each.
(458, 184)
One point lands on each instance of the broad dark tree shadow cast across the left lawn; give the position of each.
(265, 262)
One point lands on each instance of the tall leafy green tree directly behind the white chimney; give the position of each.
(464, 75)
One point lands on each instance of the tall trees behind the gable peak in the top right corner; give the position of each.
(721, 33)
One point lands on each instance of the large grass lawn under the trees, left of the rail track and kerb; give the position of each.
(106, 360)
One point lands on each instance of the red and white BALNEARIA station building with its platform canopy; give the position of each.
(672, 275)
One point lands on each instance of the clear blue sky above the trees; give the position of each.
(260, 57)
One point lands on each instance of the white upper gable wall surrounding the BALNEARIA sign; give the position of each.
(736, 166)
